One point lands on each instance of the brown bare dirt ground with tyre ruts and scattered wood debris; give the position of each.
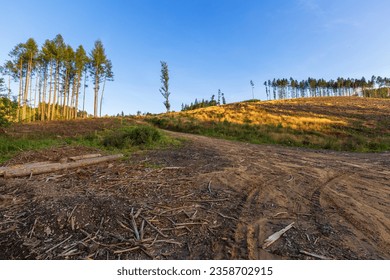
(210, 199)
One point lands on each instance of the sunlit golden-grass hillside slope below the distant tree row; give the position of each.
(338, 123)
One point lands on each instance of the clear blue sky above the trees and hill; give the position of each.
(209, 44)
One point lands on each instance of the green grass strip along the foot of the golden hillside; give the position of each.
(332, 138)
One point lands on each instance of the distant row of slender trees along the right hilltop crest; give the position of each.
(291, 88)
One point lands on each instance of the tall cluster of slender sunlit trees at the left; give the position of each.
(51, 79)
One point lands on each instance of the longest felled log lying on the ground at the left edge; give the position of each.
(27, 170)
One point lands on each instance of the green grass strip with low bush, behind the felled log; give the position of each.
(124, 139)
